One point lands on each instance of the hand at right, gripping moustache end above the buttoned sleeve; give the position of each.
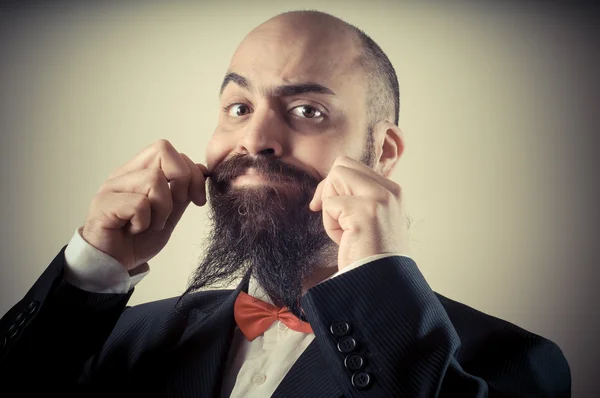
(363, 211)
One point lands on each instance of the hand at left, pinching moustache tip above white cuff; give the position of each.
(134, 213)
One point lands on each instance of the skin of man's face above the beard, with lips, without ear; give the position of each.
(302, 103)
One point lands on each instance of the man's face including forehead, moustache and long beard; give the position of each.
(287, 112)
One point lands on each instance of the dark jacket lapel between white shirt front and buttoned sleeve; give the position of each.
(308, 377)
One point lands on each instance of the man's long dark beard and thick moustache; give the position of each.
(267, 230)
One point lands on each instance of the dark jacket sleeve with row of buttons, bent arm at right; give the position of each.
(385, 333)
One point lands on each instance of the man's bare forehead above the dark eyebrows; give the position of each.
(279, 55)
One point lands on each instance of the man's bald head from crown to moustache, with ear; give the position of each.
(308, 74)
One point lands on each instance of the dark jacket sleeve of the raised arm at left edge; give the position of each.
(48, 336)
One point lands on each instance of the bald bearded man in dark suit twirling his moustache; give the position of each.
(330, 303)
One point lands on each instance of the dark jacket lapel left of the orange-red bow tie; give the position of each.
(199, 361)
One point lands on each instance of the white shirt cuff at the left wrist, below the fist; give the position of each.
(94, 271)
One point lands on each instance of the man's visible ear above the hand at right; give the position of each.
(389, 146)
